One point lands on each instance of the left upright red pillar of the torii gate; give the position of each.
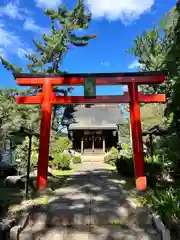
(42, 173)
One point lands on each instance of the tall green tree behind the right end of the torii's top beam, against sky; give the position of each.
(151, 50)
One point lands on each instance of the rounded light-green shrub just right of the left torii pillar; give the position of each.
(61, 161)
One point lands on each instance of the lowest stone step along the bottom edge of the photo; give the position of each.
(89, 233)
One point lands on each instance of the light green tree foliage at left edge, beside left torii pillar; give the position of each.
(14, 116)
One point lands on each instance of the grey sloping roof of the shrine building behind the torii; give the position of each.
(97, 117)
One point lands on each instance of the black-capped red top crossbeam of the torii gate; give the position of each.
(140, 78)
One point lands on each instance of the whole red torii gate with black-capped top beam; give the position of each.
(47, 97)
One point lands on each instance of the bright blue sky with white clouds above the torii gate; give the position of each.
(116, 22)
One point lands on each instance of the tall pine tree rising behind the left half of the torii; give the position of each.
(50, 51)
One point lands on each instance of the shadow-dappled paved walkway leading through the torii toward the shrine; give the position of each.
(91, 206)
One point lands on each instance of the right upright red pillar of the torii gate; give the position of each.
(137, 143)
